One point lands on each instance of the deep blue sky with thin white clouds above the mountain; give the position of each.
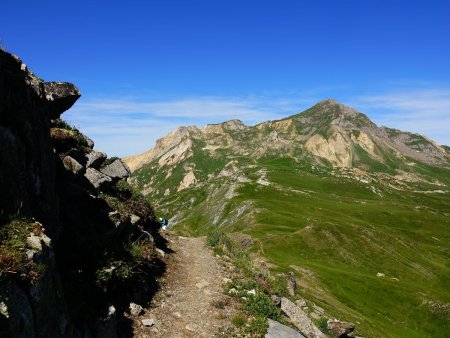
(145, 67)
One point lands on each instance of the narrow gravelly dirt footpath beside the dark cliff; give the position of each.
(191, 302)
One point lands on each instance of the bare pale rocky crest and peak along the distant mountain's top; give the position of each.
(328, 130)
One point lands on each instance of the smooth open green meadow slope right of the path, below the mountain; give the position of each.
(345, 235)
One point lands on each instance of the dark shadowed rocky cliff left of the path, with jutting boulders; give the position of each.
(72, 232)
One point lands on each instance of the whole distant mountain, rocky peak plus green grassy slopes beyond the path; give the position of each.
(360, 213)
